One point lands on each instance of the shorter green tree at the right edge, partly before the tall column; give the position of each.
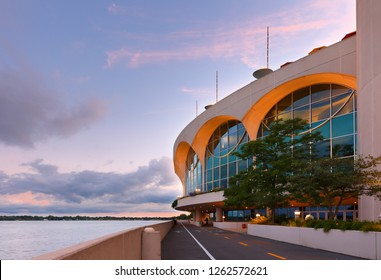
(330, 181)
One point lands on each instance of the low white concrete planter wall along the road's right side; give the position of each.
(355, 243)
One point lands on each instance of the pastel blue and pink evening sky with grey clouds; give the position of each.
(94, 93)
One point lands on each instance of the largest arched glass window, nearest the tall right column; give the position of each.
(329, 109)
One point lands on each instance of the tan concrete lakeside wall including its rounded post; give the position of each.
(134, 244)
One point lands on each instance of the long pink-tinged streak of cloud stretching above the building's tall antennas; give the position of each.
(225, 42)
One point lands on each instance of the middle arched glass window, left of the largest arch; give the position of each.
(220, 162)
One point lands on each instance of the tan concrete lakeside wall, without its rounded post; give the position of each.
(125, 245)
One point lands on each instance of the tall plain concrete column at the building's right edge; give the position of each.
(368, 45)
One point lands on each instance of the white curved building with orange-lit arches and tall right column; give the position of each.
(334, 88)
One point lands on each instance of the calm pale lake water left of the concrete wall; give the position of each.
(23, 240)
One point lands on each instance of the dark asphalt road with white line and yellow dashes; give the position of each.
(188, 242)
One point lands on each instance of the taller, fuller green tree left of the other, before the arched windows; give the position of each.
(265, 184)
